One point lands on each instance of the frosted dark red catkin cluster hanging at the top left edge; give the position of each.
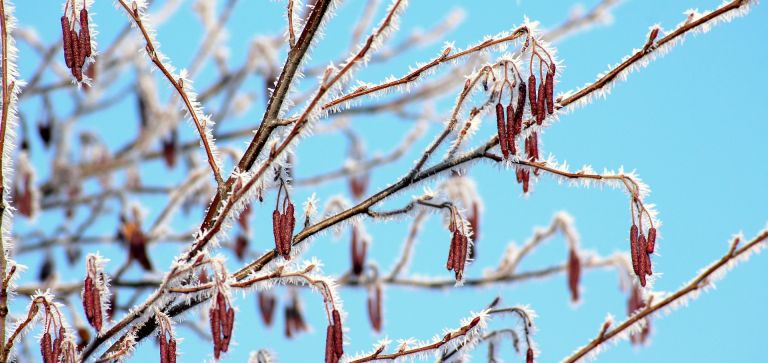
(77, 47)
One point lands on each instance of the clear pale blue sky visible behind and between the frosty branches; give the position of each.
(690, 124)
